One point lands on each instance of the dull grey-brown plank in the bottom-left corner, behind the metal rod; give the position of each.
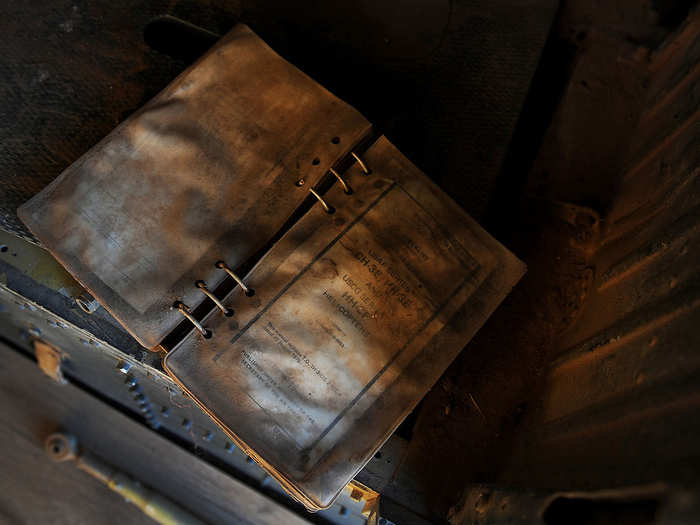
(34, 490)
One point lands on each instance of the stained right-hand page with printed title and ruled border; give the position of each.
(355, 316)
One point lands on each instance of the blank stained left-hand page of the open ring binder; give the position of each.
(206, 171)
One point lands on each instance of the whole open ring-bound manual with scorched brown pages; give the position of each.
(308, 283)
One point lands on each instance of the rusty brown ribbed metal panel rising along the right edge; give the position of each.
(634, 342)
